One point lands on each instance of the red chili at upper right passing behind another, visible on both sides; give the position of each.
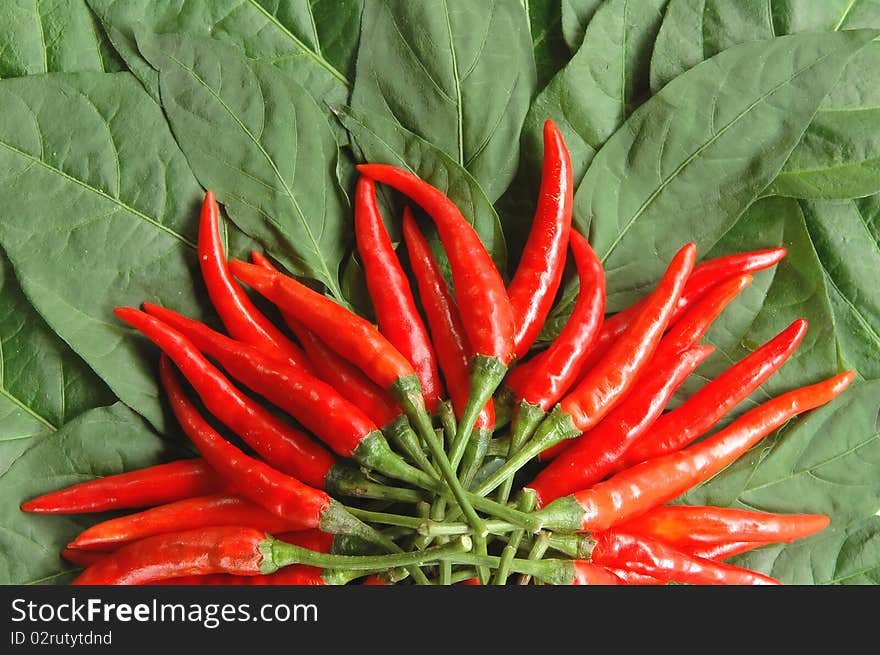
(704, 277)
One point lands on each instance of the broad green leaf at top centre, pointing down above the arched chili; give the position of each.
(456, 73)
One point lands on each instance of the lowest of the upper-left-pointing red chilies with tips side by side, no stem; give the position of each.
(284, 447)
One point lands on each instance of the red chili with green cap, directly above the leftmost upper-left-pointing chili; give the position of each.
(315, 404)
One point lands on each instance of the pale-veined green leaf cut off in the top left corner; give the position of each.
(51, 36)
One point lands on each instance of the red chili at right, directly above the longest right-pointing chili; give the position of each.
(690, 420)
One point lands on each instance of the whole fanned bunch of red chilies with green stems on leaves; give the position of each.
(370, 466)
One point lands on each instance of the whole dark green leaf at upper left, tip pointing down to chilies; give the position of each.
(253, 136)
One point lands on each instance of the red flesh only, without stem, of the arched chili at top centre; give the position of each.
(482, 297)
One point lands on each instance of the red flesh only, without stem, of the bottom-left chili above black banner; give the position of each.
(235, 550)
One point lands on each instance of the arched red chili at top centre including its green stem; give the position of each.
(486, 313)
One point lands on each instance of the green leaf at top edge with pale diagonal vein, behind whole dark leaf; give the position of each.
(313, 41)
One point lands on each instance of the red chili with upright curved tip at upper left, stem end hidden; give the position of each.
(240, 316)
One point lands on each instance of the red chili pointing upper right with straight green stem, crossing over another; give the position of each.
(610, 380)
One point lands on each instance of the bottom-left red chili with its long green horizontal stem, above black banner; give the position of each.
(239, 551)
